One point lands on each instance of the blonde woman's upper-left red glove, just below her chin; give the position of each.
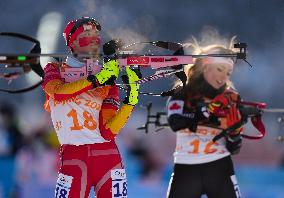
(218, 104)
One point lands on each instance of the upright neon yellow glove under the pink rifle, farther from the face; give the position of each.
(133, 75)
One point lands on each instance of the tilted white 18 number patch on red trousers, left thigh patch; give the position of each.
(63, 186)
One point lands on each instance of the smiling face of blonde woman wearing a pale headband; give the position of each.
(217, 74)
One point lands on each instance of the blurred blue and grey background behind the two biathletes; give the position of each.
(28, 144)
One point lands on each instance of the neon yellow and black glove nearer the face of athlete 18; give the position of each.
(107, 75)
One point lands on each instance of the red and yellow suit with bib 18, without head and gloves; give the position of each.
(86, 121)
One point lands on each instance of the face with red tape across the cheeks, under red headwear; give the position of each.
(87, 42)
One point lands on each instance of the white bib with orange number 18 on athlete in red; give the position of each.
(76, 120)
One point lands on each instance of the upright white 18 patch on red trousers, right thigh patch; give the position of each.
(119, 183)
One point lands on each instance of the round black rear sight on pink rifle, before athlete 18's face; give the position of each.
(111, 48)
